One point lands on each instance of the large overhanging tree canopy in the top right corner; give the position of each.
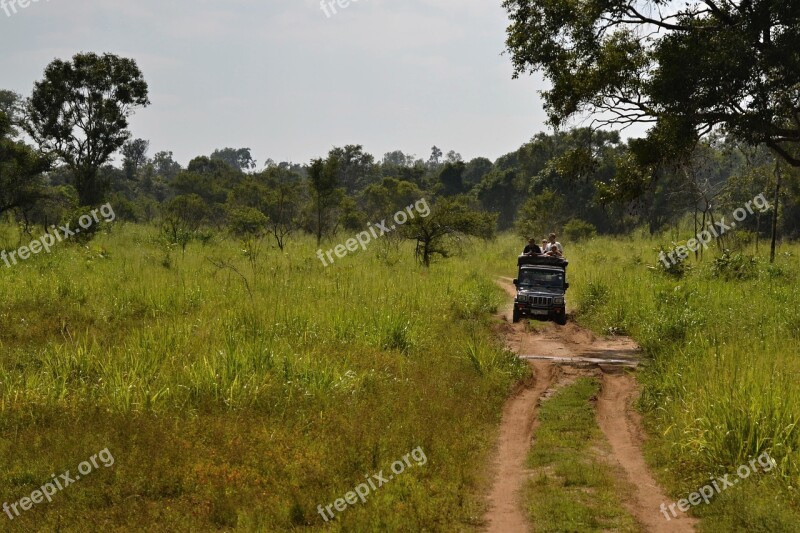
(688, 67)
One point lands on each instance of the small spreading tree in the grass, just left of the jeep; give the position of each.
(450, 220)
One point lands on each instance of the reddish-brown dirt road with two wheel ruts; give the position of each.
(559, 355)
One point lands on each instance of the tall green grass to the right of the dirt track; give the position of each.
(719, 384)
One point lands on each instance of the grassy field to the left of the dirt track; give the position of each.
(242, 388)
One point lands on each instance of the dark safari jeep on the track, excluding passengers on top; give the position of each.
(541, 285)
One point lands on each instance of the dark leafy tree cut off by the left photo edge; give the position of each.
(21, 181)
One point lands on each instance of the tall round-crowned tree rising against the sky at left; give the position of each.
(79, 113)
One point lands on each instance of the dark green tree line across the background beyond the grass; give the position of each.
(56, 149)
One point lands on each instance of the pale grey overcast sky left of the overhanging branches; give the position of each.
(286, 80)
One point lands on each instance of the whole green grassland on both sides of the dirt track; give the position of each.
(241, 388)
